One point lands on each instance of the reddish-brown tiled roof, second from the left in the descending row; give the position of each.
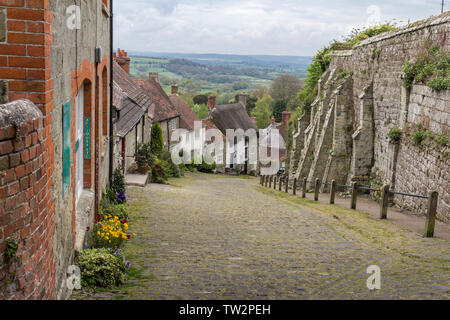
(162, 108)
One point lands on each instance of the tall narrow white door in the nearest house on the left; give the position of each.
(79, 160)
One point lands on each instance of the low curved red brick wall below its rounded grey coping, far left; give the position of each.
(26, 211)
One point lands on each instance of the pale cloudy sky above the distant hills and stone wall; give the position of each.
(278, 27)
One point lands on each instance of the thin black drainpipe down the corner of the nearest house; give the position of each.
(111, 135)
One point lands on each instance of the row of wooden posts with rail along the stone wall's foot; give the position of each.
(385, 193)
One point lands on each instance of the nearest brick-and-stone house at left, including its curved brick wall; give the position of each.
(55, 135)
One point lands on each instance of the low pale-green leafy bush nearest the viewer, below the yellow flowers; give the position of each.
(101, 268)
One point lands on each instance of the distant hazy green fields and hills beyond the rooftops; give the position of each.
(206, 73)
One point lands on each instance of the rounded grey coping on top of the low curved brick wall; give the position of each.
(18, 112)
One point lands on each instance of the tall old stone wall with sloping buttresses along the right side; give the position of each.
(365, 88)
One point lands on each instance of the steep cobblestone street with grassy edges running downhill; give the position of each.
(219, 237)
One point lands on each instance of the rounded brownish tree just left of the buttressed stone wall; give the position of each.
(286, 88)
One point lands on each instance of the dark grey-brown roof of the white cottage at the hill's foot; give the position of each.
(232, 116)
